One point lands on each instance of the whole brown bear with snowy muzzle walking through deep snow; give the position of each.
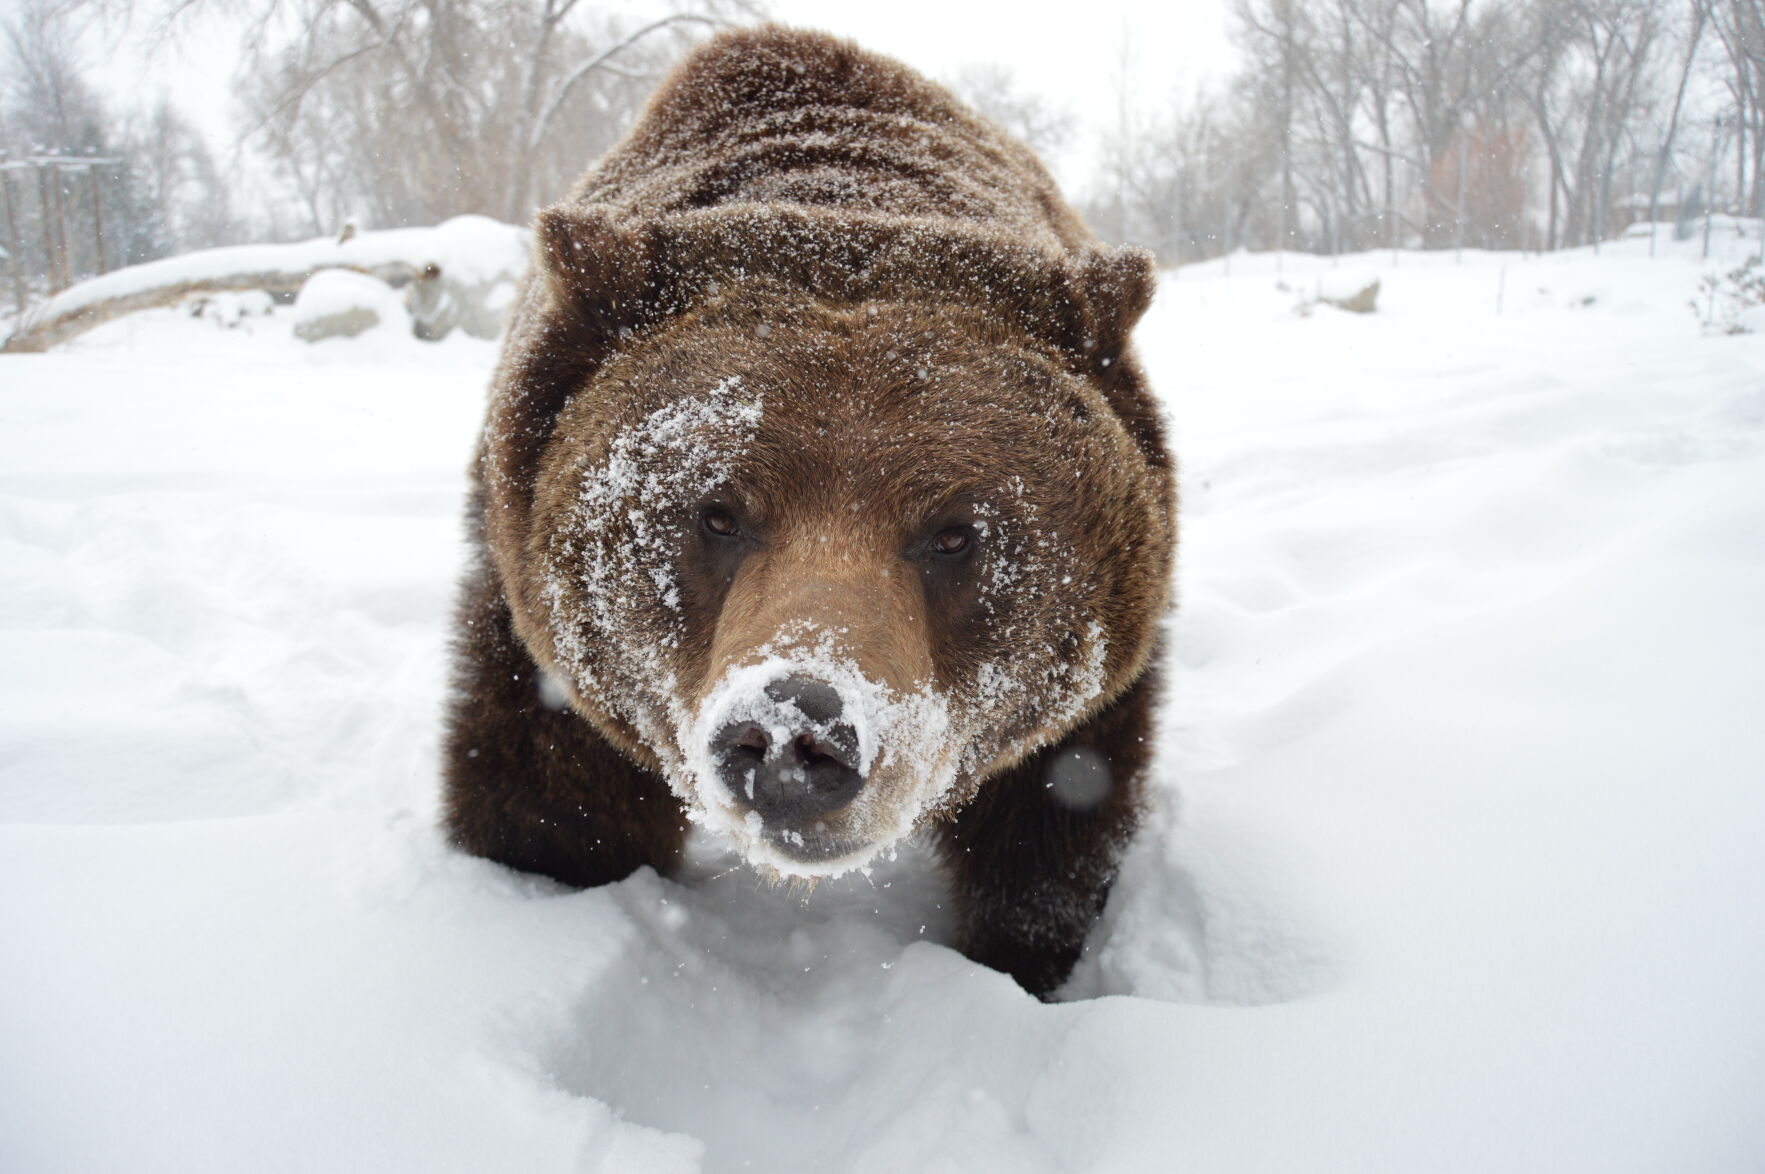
(822, 502)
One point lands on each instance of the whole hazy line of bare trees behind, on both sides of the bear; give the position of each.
(1351, 124)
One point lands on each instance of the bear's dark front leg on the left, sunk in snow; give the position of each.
(532, 785)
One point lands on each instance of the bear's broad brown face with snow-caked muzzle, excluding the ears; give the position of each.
(829, 568)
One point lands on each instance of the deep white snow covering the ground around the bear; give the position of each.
(1459, 862)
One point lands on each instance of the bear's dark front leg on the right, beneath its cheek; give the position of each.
(1032, 859)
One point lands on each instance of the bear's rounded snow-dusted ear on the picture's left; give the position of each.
(597, 275)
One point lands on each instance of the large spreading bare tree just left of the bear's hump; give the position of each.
(416, 110)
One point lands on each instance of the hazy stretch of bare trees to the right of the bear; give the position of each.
(1535, 124)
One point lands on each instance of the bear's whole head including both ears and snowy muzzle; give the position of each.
(827, 534)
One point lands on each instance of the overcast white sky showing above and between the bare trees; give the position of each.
(1074, 52)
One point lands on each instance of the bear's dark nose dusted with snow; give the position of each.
(799, 764)
